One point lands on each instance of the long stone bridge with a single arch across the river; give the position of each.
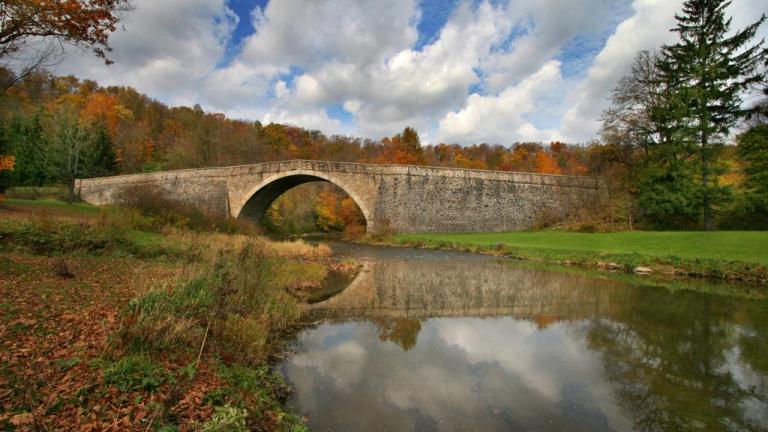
(396, 198)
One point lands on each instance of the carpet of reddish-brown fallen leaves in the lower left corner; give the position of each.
(53, 328)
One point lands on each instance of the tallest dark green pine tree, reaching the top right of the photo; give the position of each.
(705, 74)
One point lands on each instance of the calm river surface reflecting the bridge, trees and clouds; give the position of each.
(436, 341)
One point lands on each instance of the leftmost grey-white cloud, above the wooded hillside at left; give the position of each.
(166, 49)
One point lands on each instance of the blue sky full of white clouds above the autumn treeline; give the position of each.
(459, 71)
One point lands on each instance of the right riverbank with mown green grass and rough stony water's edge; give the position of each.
(724, 255)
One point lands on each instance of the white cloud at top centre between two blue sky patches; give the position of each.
(308, 34)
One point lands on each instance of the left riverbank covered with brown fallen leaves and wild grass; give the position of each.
(111, 319)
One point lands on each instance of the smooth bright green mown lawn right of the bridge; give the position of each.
(745, 246)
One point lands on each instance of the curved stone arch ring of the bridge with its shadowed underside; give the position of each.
(257, 200)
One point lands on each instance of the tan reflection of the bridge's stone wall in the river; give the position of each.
(477, 288)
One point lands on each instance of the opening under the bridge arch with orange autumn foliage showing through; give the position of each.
(274, 203)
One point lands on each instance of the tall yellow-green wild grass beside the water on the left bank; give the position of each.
(235, 308)
